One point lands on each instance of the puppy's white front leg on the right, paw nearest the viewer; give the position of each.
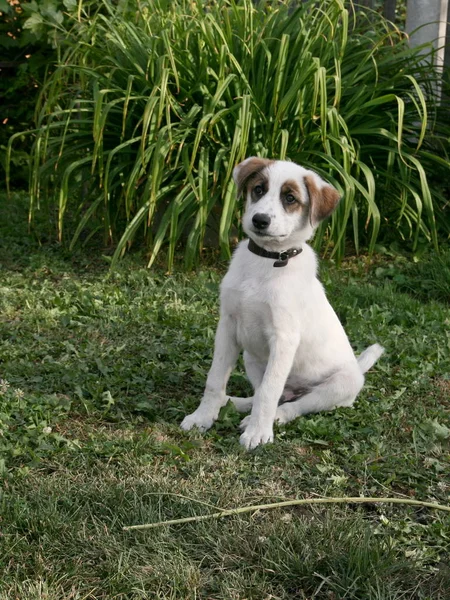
(259, 424)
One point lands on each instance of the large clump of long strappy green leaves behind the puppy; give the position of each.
(153, 105)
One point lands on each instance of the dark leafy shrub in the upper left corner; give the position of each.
(30, 35)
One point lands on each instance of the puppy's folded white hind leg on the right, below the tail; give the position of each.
(339, 389)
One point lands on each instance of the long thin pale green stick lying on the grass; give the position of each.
(244, 509)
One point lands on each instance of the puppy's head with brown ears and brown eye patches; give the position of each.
(284, 202)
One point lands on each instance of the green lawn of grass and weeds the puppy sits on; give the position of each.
(98, 368)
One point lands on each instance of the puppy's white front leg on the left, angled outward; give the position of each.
(226, 352)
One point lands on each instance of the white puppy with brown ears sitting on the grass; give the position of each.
(296, 353)
